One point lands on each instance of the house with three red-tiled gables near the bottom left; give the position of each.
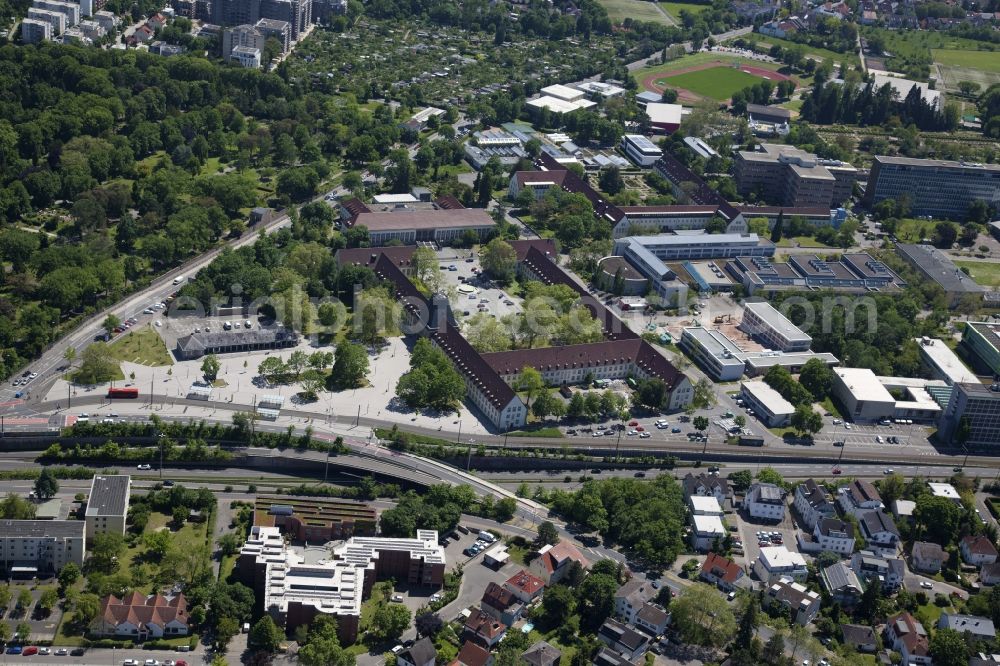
(139, 617)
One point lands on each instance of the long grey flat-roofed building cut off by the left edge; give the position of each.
(29, 547)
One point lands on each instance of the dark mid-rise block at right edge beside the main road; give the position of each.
(972, 416)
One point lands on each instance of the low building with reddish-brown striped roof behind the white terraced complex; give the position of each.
(314, 519)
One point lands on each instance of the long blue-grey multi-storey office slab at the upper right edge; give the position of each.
(940, 188)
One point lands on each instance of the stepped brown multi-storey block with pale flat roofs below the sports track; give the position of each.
(789, 176)
